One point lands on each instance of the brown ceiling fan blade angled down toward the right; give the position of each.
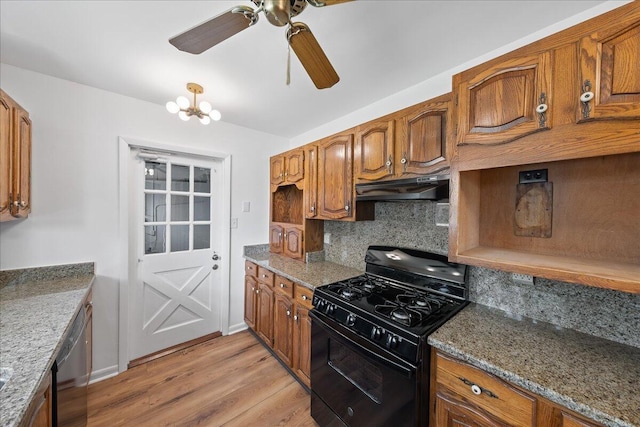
(311, 55)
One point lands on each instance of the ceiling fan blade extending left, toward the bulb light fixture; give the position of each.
(208, 34)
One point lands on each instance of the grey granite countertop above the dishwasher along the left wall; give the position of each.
(37, 307)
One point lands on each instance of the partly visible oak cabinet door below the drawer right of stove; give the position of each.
(455, 413)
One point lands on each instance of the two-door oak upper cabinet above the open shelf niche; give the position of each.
(574, 94)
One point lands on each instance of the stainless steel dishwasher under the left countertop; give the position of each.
(71, 376)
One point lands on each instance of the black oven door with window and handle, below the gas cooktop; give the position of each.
(356, 383)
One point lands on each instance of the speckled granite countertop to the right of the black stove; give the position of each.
(592, 376)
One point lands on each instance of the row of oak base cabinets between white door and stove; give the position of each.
(279, 315)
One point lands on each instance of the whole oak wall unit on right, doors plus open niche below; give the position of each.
(591, 151)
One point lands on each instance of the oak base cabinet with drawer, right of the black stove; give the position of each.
(465, 395)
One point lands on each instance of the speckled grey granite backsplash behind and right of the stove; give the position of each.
(604, 313)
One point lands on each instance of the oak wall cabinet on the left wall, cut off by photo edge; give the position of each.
(15, 160)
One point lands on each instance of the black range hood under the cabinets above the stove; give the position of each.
(429, 187)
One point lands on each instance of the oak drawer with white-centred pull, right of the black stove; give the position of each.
(485, 391)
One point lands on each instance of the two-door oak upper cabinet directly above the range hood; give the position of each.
(413, 141)
